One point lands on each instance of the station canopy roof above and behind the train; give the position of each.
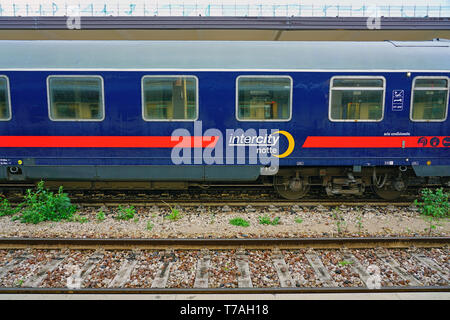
(284, 20)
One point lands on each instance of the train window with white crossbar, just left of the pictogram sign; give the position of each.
(357, 99)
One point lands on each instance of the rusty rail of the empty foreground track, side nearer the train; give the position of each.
(223, 243)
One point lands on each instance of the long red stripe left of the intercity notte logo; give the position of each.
(107, 141)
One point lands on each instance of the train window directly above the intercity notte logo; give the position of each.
(264, 98)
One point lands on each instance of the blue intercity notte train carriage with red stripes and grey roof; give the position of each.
(346, 116)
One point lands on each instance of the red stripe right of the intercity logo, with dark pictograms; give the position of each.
(377, 142)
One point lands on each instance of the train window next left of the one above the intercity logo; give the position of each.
(170, 98)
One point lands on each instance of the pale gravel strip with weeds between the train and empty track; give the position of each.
(214, 222)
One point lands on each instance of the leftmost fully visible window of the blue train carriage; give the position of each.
(75, 98)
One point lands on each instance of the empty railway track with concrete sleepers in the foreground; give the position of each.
(161, 266)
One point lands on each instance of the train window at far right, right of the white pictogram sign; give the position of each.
(429, 99)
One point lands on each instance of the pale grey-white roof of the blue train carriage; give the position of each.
(224, 55)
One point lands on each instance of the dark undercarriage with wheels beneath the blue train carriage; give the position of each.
(291, 183)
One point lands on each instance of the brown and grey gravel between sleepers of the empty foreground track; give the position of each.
(102, 268)
